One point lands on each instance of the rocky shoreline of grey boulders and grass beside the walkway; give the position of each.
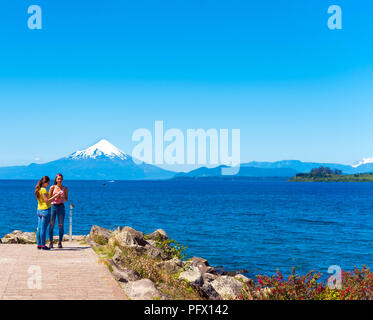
(151, 267)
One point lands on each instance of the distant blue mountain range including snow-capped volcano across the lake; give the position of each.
(104, 161)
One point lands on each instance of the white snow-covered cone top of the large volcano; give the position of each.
(102, 149)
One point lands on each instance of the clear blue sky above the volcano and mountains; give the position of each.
(273, 69)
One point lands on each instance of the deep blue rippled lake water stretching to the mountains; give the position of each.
(258, 226)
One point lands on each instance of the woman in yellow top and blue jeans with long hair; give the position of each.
(44, 210)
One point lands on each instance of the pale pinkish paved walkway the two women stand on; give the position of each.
(71, 273)
